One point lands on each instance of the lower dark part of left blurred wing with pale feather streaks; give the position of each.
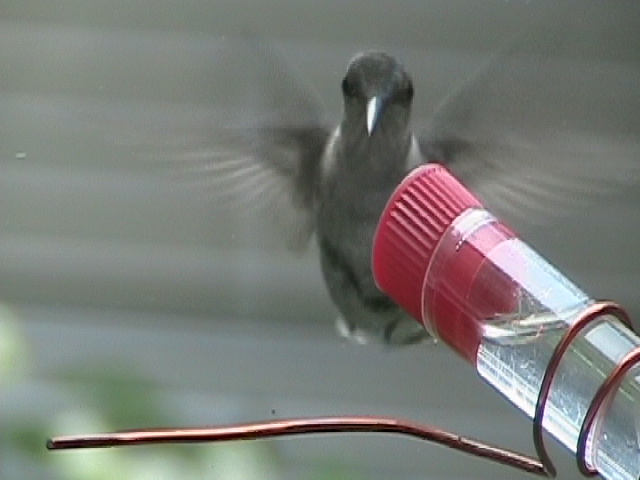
(262, 173)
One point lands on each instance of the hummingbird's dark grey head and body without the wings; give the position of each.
(367, 155)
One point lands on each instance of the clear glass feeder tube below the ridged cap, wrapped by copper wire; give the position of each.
(516, 307)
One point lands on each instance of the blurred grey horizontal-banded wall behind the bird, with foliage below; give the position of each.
(129, 299)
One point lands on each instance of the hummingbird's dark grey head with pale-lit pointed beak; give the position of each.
(377, 94)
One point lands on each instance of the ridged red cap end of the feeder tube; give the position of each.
(423, 206)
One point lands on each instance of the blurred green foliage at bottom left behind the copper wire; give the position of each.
(108, 396)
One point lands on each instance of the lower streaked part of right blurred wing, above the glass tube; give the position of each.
(539, 183)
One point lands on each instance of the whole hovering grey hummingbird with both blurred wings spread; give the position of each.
(334, 182)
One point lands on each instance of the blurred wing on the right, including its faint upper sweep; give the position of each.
(538, 131)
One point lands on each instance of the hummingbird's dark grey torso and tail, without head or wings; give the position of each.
(344, 229)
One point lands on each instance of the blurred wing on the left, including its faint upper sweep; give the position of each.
(261, 158)
